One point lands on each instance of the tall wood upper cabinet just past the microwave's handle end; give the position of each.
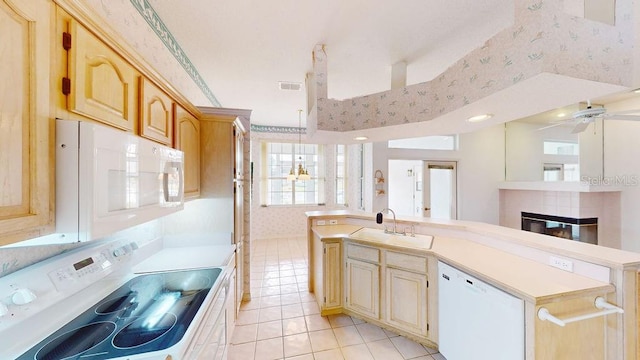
(188, 140)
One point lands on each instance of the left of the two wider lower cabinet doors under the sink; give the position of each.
(362, 288)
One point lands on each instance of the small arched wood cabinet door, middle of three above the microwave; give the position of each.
(156, 122)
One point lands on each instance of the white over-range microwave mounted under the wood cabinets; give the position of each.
(108, 180)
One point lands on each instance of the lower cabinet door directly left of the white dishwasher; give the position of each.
(406, 300)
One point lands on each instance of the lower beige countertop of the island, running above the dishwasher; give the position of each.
(532, 281)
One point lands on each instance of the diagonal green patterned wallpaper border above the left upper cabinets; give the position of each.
(157, 25)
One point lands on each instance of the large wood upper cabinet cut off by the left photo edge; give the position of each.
(25, 120)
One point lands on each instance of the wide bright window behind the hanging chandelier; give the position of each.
(278, 159)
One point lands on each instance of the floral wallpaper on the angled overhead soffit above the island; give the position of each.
(543, 39)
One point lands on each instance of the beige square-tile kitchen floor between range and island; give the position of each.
(282, 320)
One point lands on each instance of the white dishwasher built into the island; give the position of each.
(476, 320)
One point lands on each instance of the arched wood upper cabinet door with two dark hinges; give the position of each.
(102, 84)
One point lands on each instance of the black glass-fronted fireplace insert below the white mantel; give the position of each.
(583, 230)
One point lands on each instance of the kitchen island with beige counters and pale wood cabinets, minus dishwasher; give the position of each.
(392, 280)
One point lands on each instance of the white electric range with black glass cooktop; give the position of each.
(116, 300)
